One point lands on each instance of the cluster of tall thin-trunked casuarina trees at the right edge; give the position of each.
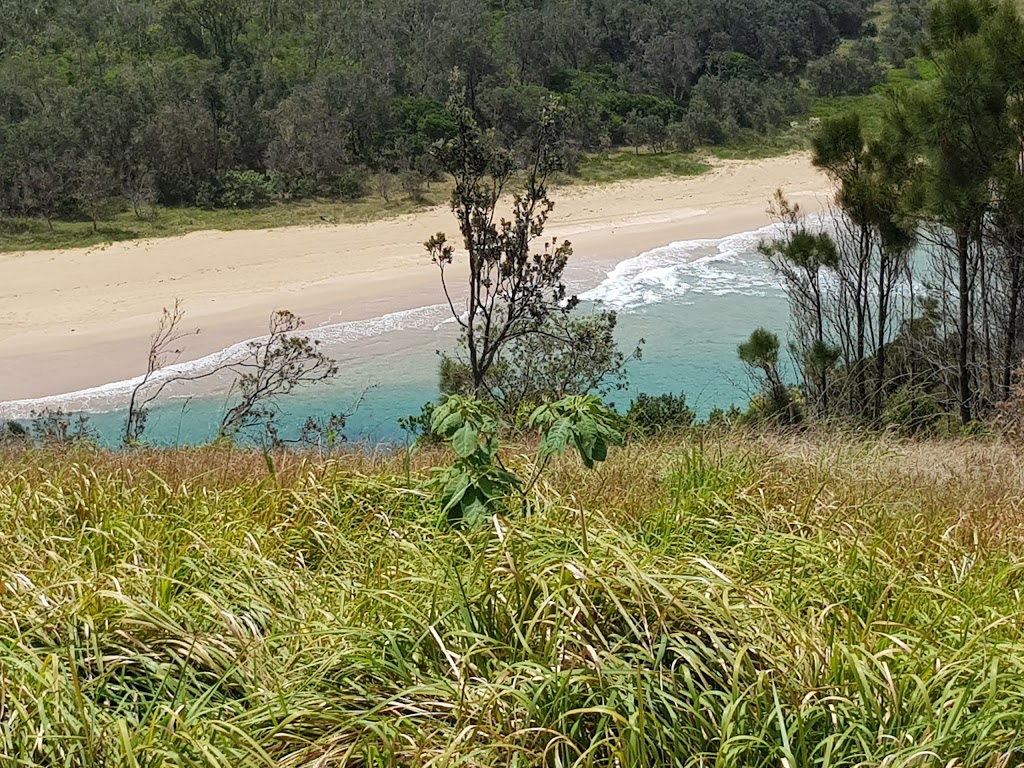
(912, 309)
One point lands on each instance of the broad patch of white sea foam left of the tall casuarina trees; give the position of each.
(716, 268)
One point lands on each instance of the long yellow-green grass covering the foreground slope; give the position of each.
(752, 602)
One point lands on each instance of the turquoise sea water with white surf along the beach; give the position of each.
(694, 303)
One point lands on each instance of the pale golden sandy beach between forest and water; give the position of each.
(77, 319)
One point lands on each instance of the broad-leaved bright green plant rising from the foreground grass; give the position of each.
(479, 483)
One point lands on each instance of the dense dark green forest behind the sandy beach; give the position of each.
(237, 103)
